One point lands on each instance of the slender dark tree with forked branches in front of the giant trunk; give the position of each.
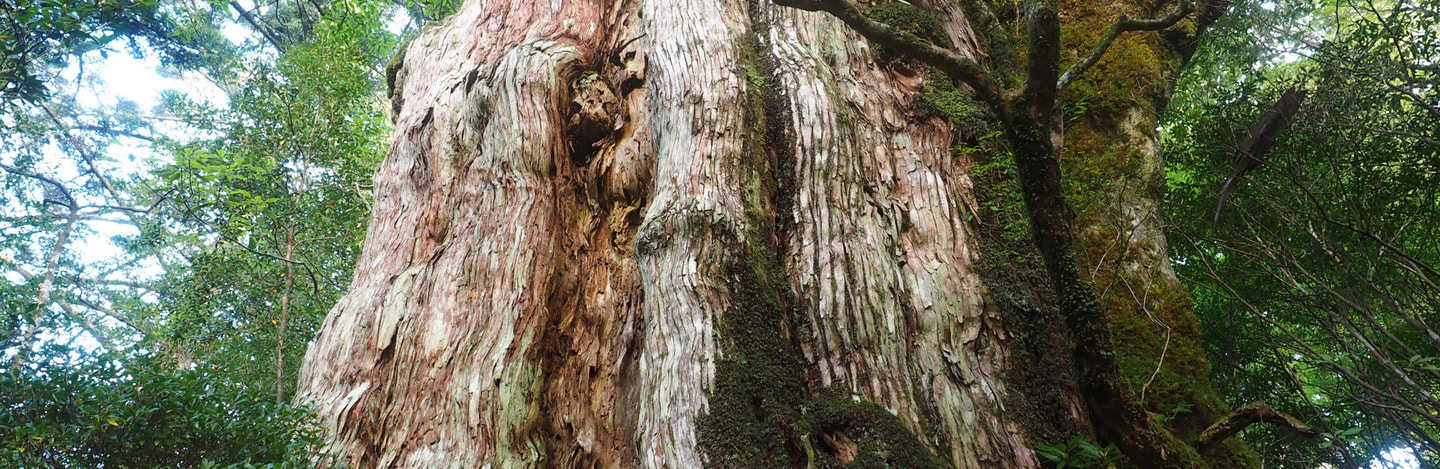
(1036, 137)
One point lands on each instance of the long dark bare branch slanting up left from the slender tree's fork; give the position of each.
(953, 64)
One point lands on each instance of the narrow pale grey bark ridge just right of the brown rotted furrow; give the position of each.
(695, 218)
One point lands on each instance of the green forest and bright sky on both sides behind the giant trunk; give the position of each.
(168, 263)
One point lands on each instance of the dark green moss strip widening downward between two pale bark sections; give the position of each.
(761, 375)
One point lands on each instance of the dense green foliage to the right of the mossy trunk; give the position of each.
(1317, 287)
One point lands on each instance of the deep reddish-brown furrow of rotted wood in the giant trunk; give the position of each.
(595, 299)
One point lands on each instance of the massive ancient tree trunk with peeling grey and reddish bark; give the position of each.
(675, 234)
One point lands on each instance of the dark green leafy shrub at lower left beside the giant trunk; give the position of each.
(99, 415)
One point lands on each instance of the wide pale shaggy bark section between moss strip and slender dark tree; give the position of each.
(881, 250)
